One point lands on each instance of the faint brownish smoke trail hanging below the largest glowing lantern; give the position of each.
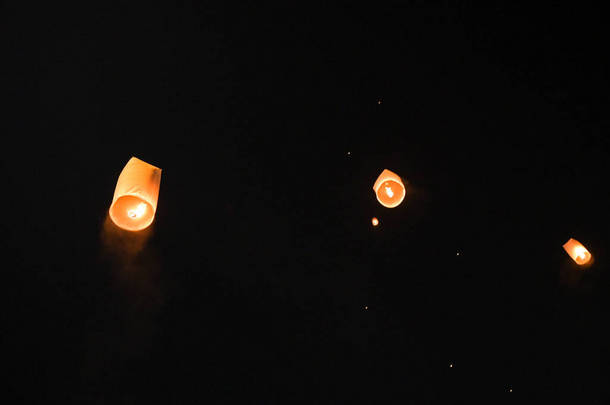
(126, 326)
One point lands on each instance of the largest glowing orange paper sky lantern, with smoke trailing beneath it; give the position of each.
(135, 197)
